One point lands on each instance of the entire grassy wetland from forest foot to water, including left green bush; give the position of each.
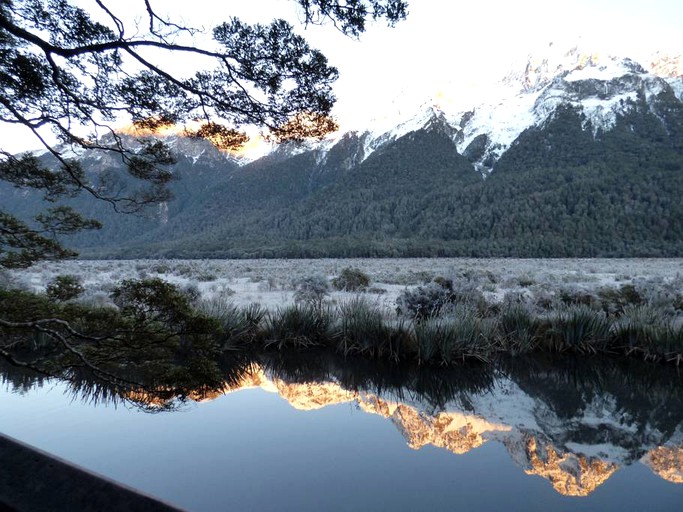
(430, 312)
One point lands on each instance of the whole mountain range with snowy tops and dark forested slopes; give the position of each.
(580, 157)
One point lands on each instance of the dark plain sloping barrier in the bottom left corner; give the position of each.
(32, 480)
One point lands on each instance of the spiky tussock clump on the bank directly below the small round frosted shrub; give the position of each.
(300, 325)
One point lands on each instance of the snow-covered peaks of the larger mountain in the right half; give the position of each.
(601, 88)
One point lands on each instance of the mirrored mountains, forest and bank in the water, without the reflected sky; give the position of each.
(571, 423)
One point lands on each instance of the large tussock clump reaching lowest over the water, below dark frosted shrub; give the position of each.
(456, 337)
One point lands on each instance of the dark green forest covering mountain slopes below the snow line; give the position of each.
(561, 190)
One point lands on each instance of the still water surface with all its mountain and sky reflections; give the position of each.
(326, 434)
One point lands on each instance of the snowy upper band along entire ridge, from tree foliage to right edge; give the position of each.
(600, 87)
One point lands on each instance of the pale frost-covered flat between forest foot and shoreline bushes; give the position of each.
(272, 283)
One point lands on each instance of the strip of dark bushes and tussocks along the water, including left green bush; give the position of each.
(442, 322)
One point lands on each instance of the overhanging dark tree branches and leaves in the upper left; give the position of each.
(69, 70)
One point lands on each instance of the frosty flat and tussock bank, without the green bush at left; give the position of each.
(436, 311)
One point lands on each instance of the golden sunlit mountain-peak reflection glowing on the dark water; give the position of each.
(570, 474)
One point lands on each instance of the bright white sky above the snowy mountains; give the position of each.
(447, 51)
